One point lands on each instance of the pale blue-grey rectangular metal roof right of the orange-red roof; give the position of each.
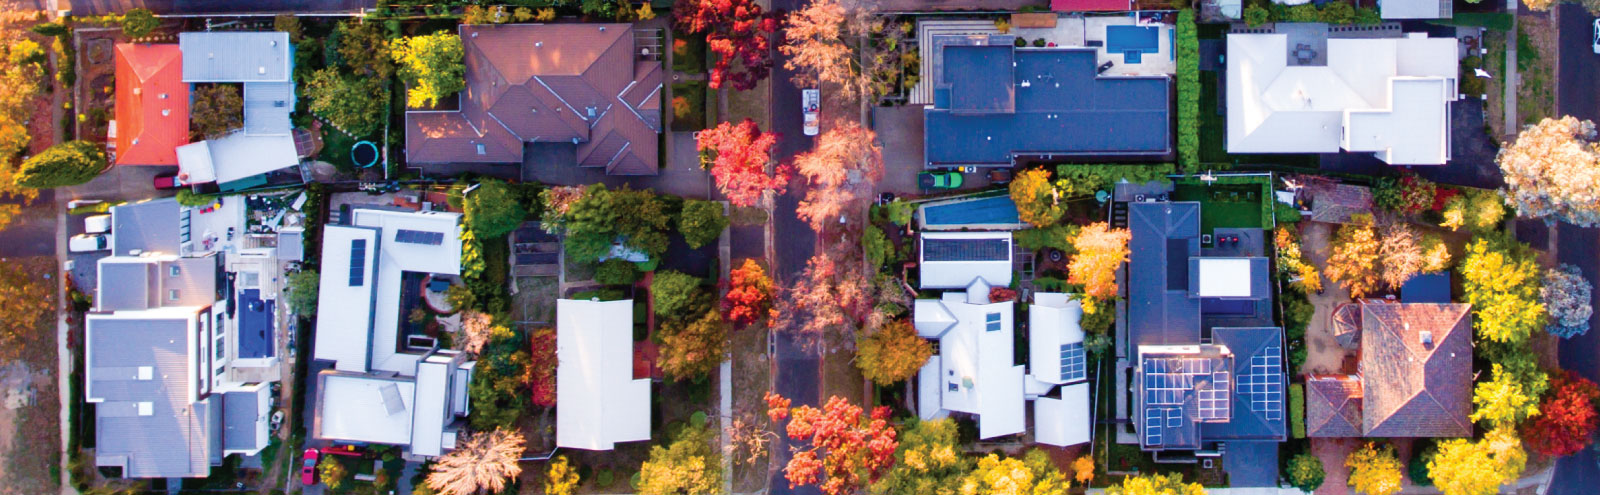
(236, 57)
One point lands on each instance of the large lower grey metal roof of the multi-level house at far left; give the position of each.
(175, 438)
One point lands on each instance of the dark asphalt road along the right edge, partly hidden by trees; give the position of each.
(1580, 97)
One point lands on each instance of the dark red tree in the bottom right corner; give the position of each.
(1567, 417)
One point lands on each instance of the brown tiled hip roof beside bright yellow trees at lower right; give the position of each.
(1417, 390)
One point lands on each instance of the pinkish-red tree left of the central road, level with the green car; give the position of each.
(738, 156)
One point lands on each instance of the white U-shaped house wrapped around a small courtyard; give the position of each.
(388, 380)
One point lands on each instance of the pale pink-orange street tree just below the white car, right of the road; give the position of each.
(842, 171)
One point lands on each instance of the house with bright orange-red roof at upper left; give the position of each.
(153, 105)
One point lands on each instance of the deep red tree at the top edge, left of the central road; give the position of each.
(737, 31)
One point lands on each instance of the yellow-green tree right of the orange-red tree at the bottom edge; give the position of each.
(927, 462)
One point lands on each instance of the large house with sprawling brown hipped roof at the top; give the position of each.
(582, 89)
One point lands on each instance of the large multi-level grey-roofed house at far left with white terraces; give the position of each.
(178, 372)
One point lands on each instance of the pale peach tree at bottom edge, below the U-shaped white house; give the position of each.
(482, 462)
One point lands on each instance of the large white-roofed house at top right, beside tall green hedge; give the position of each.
(1383, 97)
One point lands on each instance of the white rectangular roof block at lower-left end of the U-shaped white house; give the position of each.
(366, 409)
